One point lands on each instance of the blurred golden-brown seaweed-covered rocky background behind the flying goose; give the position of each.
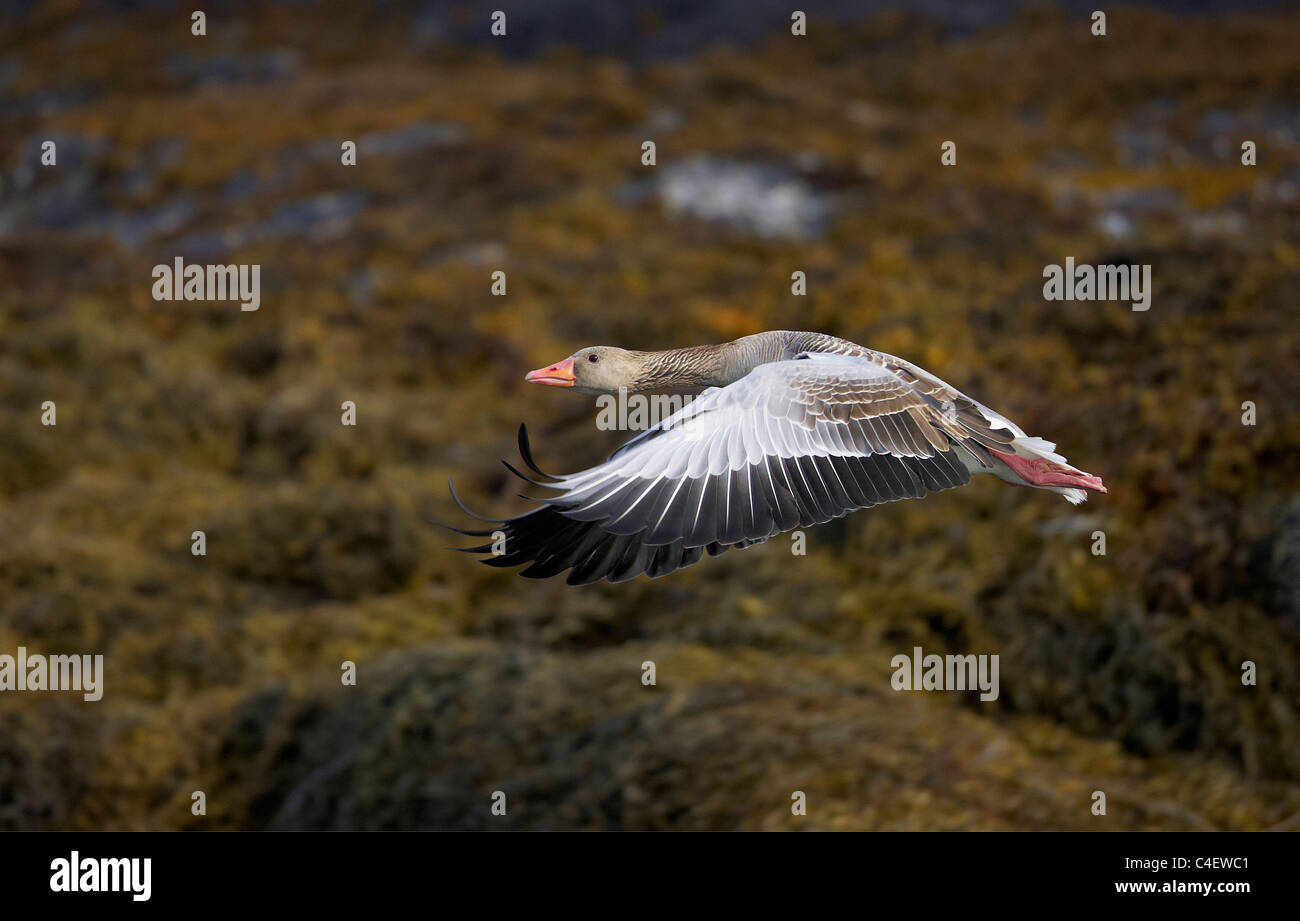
(523, 154)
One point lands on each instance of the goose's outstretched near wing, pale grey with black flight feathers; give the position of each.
(792, 444)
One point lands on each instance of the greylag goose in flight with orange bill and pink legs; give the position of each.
(788, 430)
